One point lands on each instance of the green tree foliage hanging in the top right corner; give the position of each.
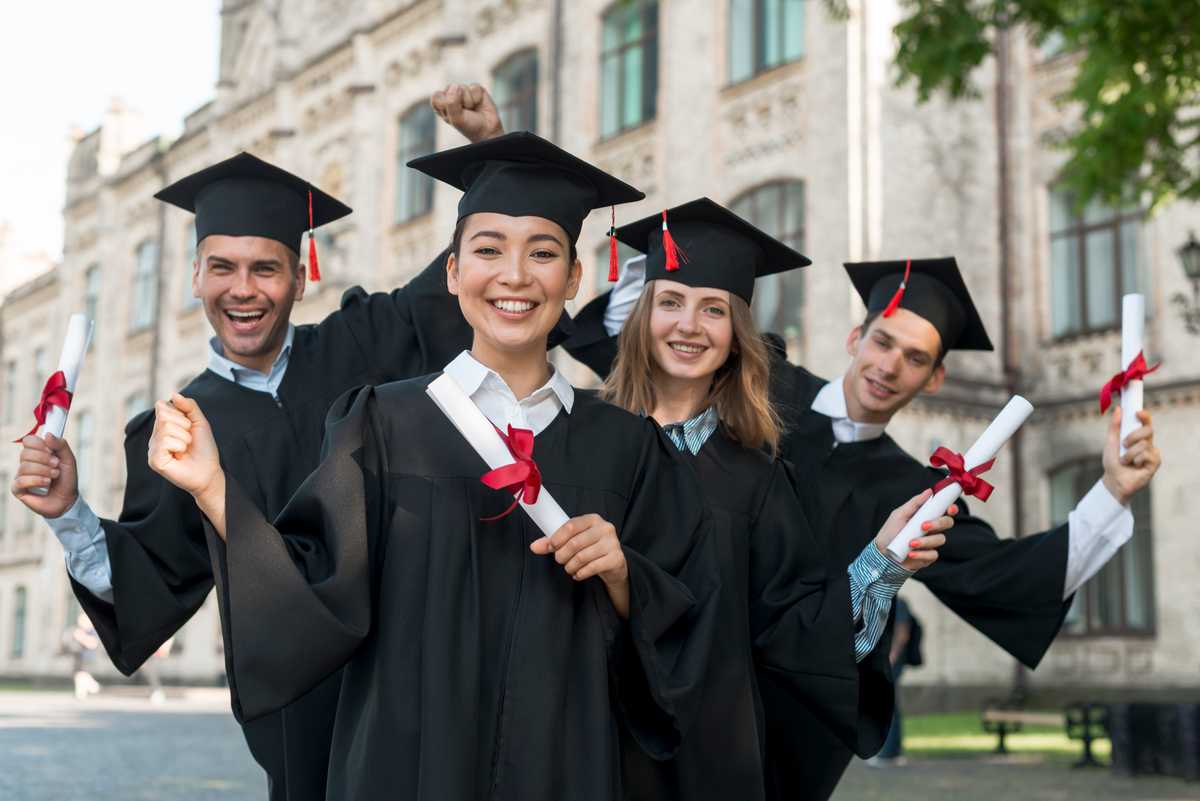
(1137, 82)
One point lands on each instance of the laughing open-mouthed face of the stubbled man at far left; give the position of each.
(248, 286)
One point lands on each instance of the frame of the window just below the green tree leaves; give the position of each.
(1079, 231)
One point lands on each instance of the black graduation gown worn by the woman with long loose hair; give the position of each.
(782, 619)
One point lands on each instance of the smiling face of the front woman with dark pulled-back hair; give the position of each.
(512, 275)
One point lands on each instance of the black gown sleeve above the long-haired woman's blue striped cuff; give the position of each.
(803, 629)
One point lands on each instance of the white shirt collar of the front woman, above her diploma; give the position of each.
(501, 406)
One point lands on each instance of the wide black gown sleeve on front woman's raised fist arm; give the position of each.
(297, 594)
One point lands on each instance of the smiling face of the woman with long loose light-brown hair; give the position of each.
(692, 330)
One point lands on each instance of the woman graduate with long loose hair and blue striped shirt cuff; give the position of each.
(691, 357)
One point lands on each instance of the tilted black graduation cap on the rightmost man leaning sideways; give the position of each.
(931, 288)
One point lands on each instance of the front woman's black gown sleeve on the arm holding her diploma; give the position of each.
(662, 654)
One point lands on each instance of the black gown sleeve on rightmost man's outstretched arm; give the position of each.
(1010, 591)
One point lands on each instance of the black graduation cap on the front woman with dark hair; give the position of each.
(520, 174)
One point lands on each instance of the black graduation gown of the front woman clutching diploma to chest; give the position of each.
(475, 670)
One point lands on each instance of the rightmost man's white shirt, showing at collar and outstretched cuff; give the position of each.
(1096, 528)
